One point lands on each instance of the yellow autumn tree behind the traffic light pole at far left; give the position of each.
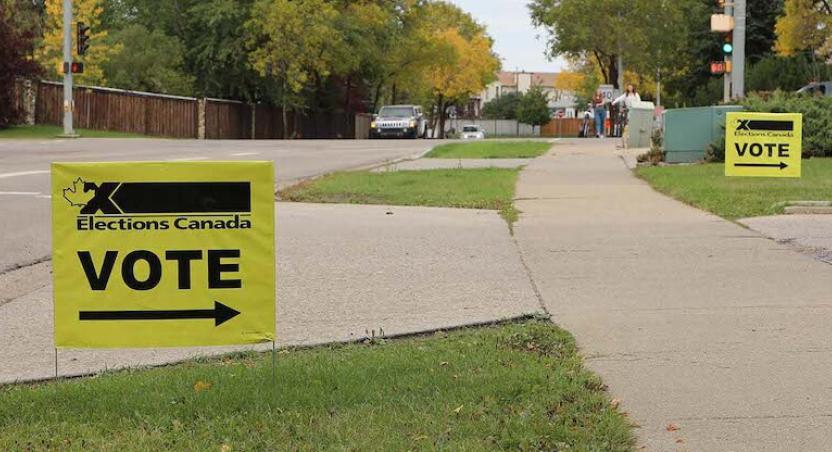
(50, 52)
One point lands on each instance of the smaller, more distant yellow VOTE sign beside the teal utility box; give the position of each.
(763, 144)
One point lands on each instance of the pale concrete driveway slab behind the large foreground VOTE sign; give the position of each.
(342, 272)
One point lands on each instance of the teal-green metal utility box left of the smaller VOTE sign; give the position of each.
(689, 131)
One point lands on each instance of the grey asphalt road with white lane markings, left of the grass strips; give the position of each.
(25, 236)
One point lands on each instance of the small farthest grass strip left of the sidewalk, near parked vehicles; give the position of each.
(490, 150)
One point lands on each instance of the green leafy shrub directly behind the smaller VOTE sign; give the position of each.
(817, 117)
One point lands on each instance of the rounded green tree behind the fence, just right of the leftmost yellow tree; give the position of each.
(149, 61)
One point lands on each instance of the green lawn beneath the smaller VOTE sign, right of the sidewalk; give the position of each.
(705, 187)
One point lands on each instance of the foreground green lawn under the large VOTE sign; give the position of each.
(519, 386)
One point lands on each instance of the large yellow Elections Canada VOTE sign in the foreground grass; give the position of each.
(169, 254)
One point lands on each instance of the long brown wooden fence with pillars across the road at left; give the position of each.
(185, 117)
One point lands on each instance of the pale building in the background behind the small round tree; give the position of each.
(561, 102)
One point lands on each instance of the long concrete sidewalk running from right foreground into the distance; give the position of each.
(712, 336)
